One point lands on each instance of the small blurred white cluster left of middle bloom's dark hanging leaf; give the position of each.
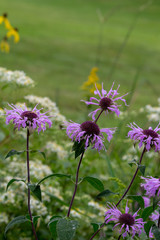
(58, 149)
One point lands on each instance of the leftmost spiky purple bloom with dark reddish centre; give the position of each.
(26, 118)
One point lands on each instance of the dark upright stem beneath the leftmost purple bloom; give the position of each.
(28, 177)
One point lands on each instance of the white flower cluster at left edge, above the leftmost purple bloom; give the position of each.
(18, 77)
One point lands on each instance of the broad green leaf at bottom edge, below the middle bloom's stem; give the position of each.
(66, 229)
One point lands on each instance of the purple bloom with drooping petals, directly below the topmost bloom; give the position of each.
(90, 132)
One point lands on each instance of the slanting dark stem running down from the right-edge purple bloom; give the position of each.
(140, 160)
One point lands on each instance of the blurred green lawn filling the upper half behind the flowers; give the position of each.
(59, 44)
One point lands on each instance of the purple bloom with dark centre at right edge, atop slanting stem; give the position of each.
(149, 137)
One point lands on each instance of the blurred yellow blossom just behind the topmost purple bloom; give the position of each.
(93, 79)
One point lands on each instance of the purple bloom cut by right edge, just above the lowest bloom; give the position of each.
(152, 186)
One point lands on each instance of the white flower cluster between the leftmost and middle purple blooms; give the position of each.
(48, 104)
